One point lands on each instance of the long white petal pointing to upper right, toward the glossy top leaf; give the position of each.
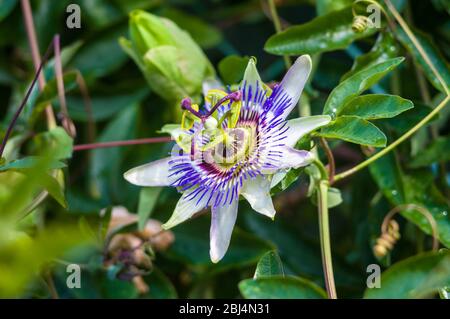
(294, 81)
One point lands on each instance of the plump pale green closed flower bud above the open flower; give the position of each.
(173, 64)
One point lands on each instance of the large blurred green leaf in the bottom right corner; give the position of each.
(416, 277)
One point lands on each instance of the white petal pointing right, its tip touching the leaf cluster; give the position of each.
(302, 126)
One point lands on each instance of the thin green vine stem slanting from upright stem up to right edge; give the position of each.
(401, 139)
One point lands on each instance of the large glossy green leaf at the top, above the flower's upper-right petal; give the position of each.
(329, 32)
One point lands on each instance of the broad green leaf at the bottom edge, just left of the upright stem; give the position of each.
(277, 287)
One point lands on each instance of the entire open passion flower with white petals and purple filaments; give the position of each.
(242, 146)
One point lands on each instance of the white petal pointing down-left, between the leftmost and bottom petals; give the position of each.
(186, 208)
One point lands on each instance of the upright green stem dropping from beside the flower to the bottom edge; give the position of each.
(324, 230)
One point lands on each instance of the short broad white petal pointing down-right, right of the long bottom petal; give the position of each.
(257, 192)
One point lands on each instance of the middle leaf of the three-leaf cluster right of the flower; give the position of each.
(376, 106)
